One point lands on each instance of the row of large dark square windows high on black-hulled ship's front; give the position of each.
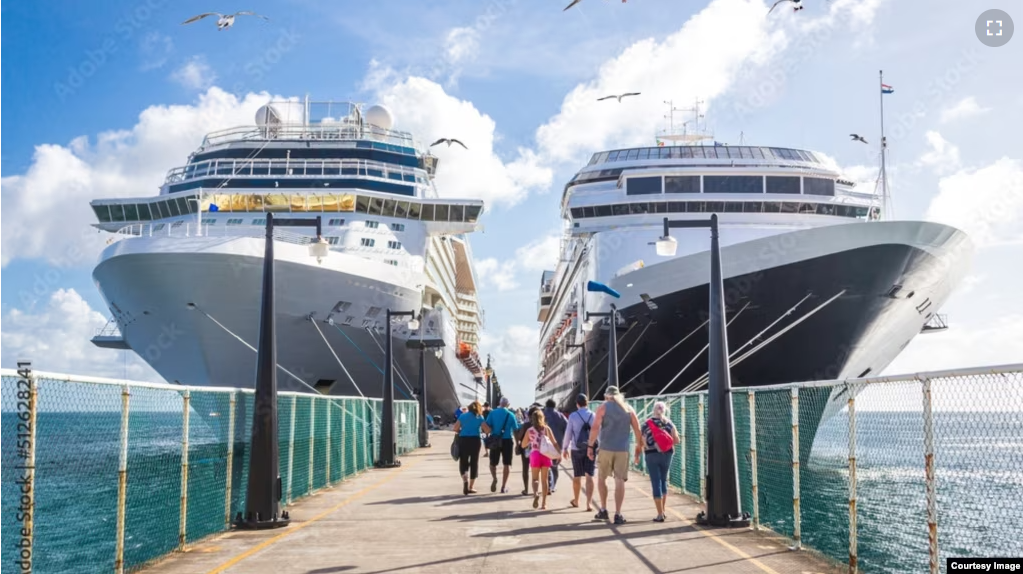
(730, 185)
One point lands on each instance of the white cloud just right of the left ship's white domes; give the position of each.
(423, 108)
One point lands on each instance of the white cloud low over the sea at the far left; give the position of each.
(58, 339)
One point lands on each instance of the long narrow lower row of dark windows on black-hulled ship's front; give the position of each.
(721, 207)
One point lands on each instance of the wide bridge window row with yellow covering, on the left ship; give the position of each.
(281, 203)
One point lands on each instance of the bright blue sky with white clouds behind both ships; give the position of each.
(516, 79)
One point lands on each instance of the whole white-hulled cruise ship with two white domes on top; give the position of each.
(183, 271)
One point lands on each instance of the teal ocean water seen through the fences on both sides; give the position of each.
(980, 459)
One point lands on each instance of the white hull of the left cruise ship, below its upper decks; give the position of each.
(191, 308)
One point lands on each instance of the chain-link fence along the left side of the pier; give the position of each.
(103, 476)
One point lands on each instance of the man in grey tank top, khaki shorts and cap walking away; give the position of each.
(614, 421)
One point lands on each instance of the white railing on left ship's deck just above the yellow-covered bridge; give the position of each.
(298, 169)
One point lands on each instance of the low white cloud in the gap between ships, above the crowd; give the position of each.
(515, 351)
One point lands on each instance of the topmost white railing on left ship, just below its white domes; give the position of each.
(314, 133)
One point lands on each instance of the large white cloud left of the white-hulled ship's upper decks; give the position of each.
(49, 214)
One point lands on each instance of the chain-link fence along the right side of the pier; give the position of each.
(888, 475)
